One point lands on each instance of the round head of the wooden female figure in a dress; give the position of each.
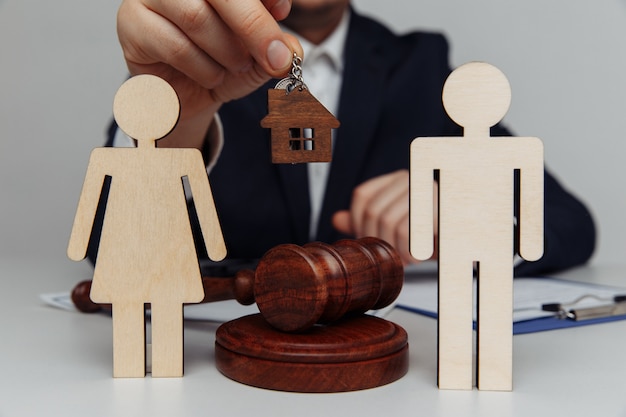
(146, 108)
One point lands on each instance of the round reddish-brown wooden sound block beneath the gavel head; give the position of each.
(352, 354)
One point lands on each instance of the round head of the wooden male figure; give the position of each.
(476, 96)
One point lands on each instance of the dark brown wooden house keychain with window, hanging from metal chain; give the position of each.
(300, 125)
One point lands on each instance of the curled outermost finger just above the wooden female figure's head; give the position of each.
(150, 39)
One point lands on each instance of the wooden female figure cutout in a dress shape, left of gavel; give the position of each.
(146, 252)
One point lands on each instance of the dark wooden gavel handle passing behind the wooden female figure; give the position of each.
(240, 288)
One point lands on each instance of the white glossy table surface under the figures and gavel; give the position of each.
(59, 363)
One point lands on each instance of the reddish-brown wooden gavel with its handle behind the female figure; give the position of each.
(296, 287)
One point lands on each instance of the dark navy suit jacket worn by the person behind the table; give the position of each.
(391, 94)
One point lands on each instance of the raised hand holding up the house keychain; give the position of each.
(210, 51)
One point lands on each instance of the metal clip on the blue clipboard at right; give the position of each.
(615, 306)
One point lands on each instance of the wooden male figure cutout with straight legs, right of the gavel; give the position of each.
(475, 224)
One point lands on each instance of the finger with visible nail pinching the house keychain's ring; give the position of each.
(257, 28)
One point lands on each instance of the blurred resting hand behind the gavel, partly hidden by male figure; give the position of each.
(380, 208)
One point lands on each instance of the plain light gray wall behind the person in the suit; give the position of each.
(61, 64)
